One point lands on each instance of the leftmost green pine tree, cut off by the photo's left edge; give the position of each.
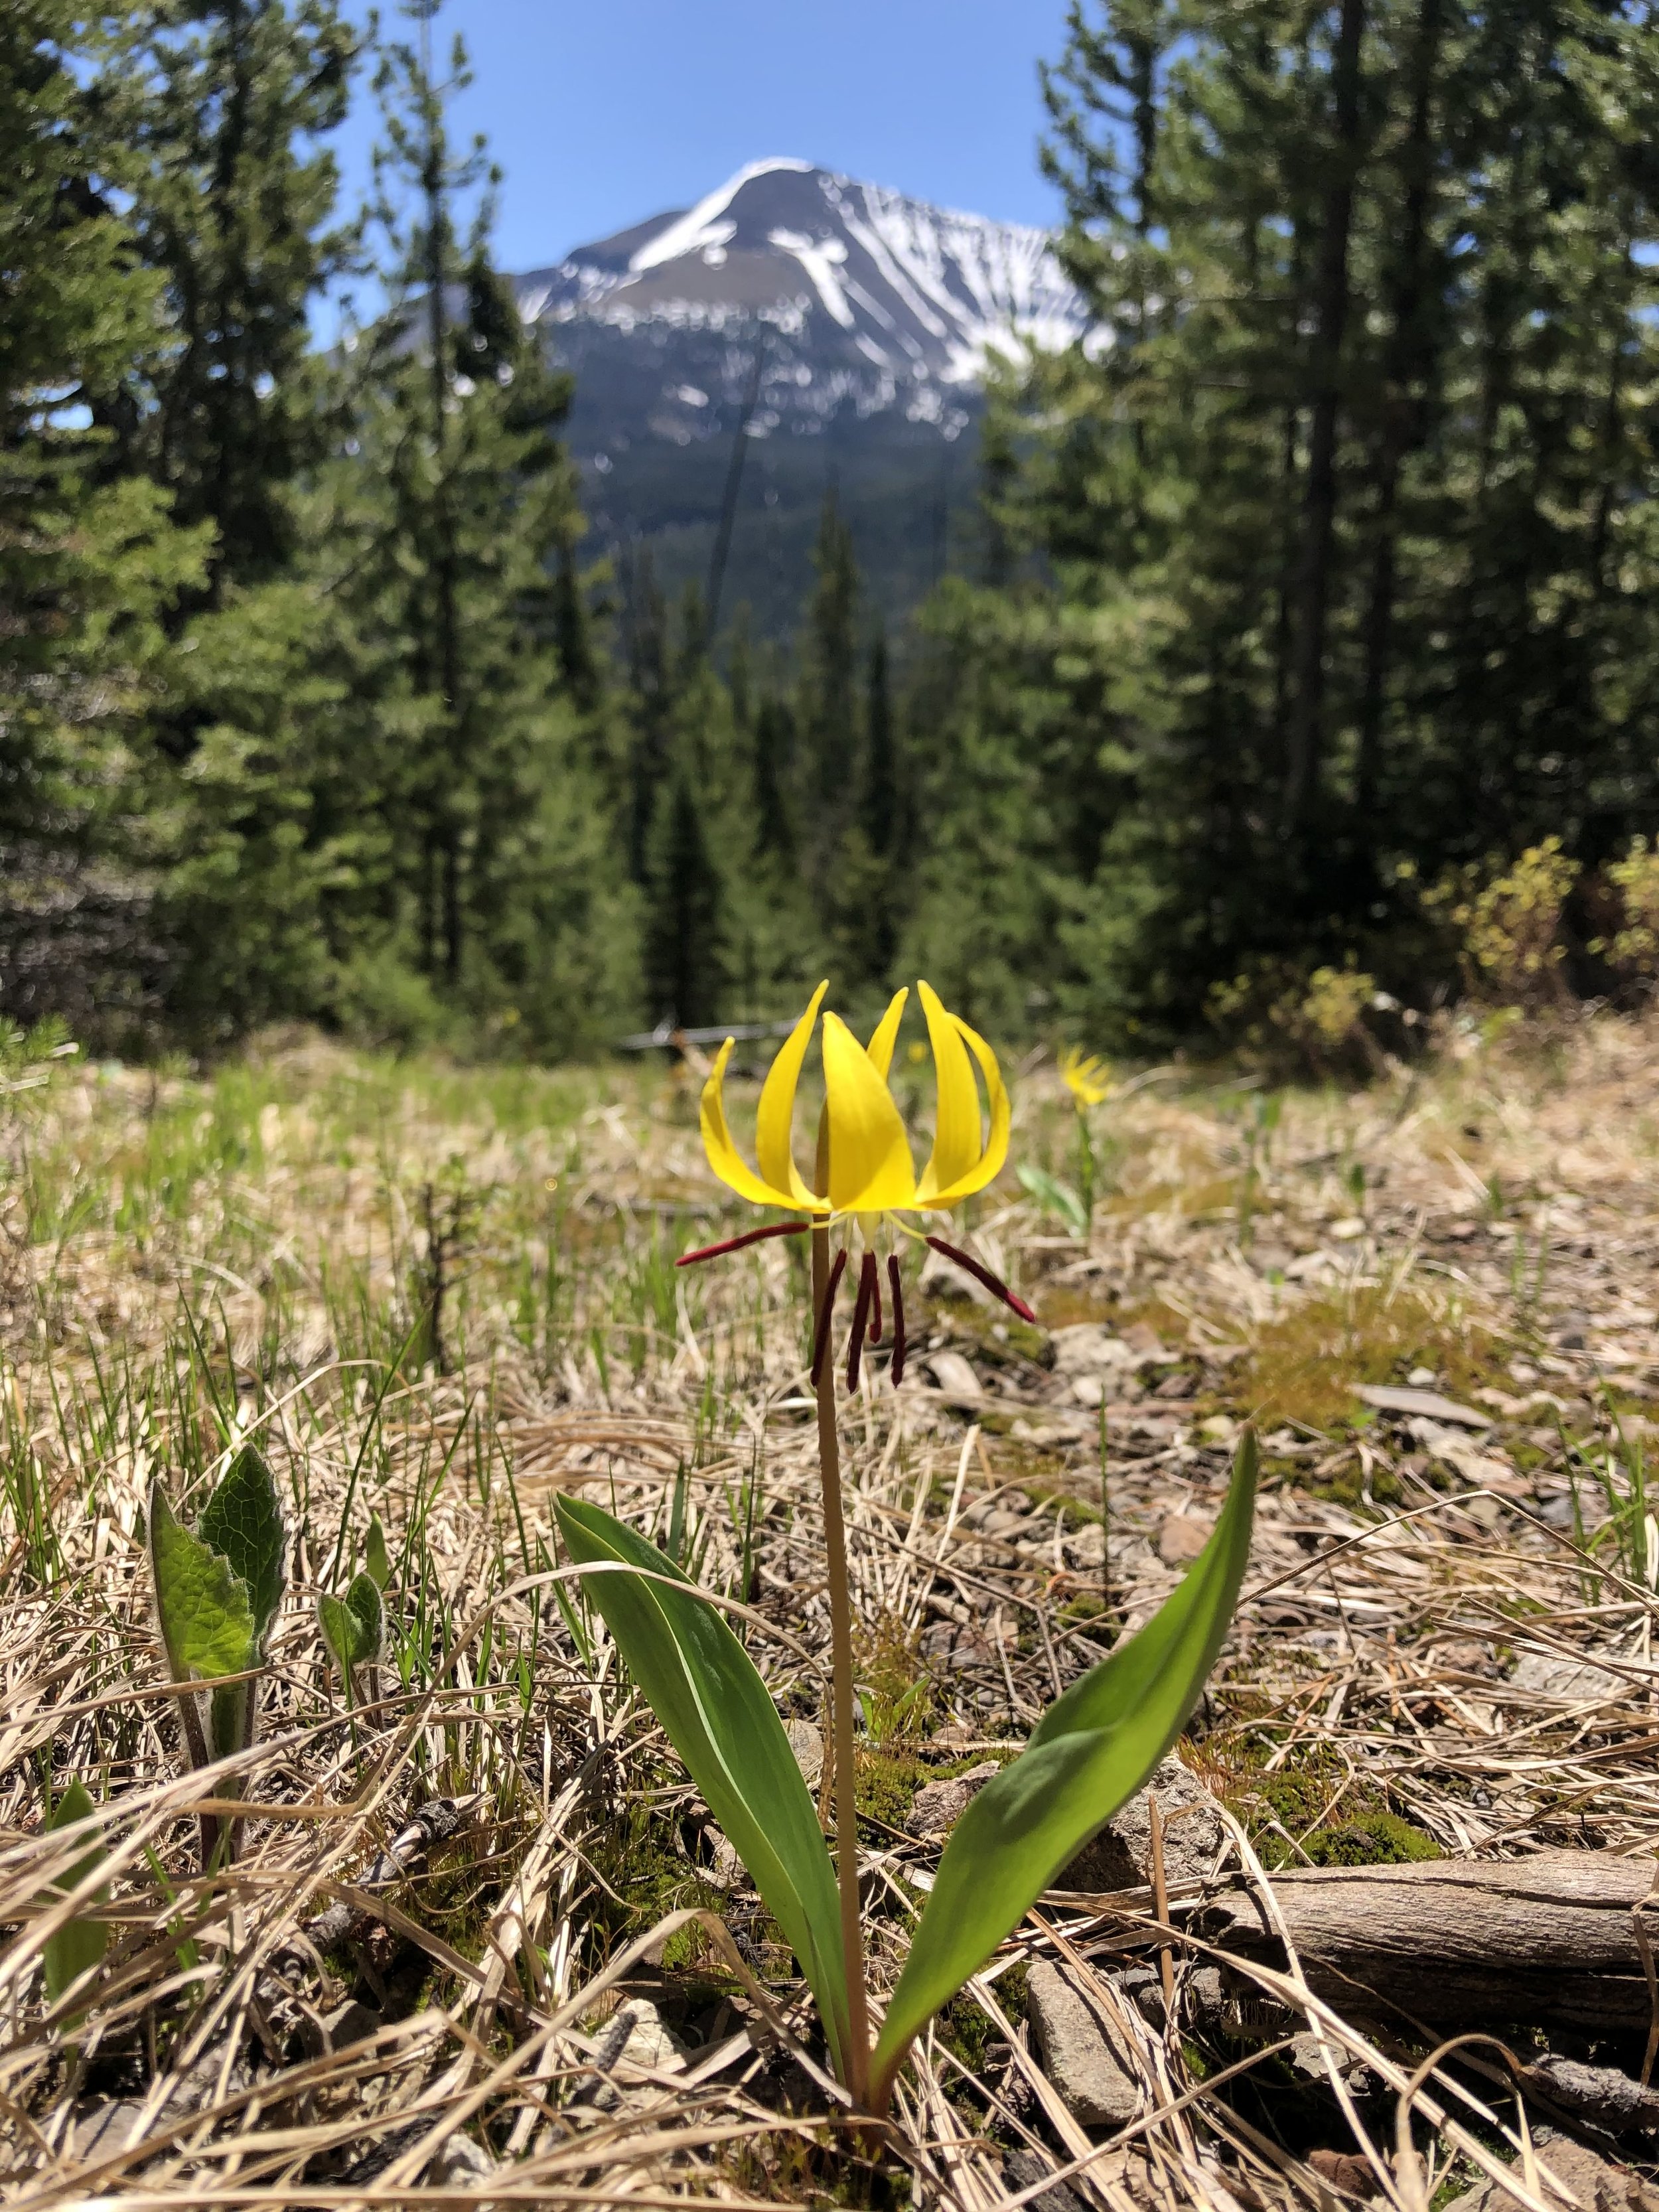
(90, 567)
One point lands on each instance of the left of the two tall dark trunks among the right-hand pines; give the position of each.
(1319, 501)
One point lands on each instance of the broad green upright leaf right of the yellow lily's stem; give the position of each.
(1087, 1755)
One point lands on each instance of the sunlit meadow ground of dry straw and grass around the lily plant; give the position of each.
(439, 1293)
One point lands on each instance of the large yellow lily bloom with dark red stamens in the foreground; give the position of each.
(873, 1171)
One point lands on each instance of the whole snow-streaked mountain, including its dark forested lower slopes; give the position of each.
(844, 328)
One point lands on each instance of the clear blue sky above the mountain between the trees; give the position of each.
(607, 112)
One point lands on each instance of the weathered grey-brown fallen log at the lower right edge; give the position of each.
(1461, 1943)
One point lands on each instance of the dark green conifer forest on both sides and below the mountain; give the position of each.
(1311, 598)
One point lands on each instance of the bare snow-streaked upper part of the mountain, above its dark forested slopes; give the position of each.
(857, 298)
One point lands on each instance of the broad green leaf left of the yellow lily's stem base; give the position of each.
(720, 1718)
